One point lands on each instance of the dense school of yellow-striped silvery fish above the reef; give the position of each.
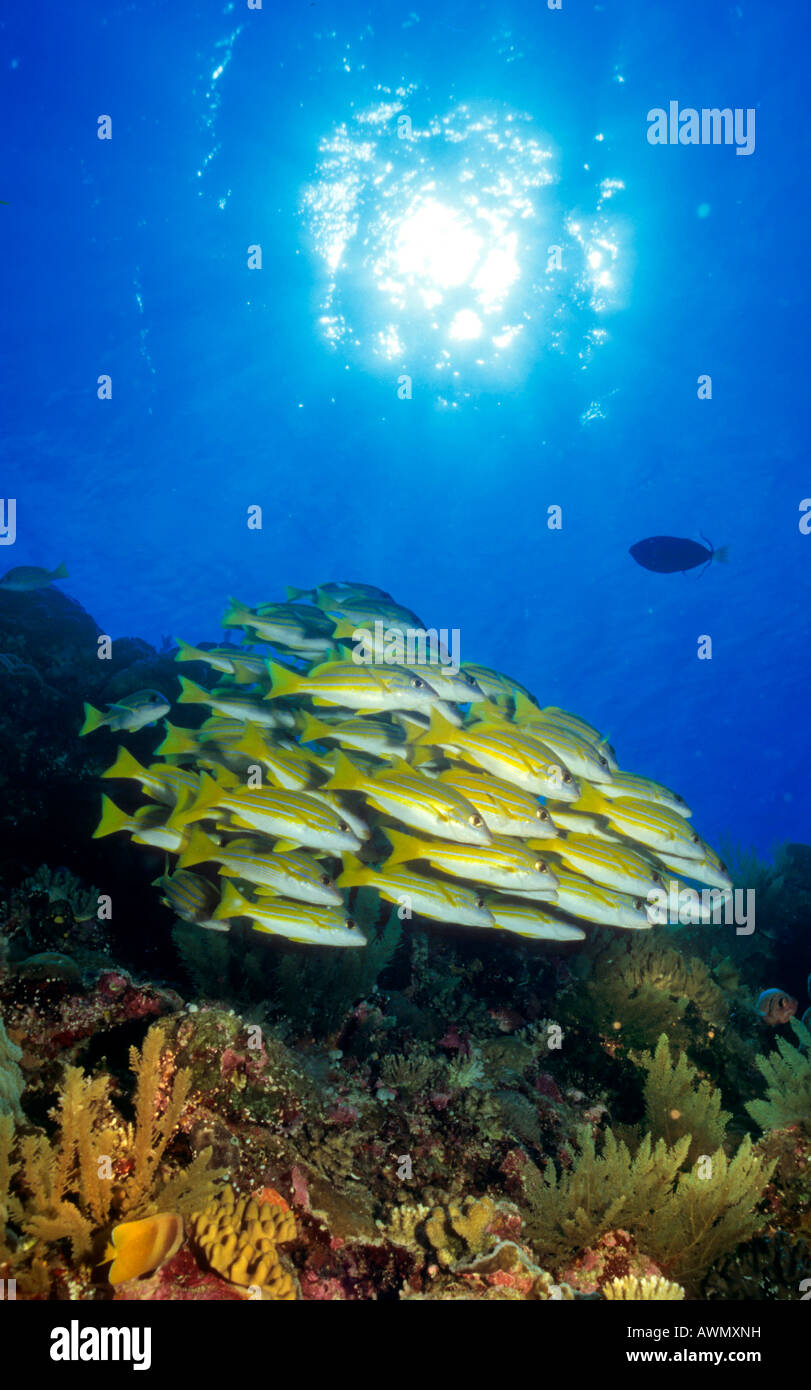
(451, 793)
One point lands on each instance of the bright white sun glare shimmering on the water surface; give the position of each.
(449, 245)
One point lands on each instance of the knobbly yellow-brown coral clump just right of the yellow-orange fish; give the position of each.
(239, 1238)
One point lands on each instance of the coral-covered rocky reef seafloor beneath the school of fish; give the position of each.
(442, 1115)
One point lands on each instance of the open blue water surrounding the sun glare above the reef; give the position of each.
(129, 256)
